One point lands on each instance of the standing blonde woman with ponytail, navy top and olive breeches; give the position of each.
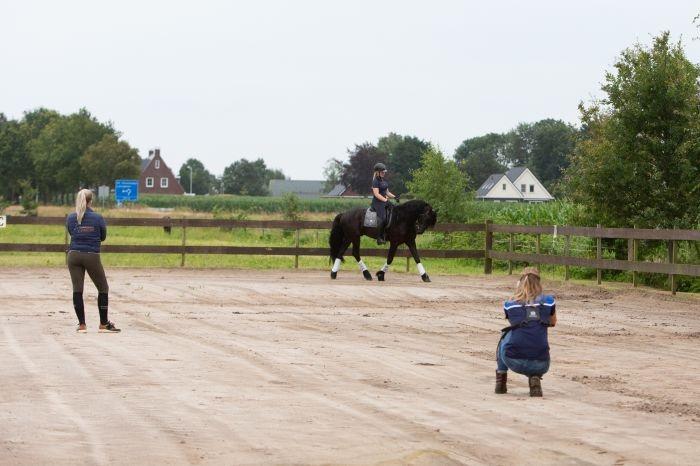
(87, 230)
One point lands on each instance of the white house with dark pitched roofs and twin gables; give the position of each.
(517, 184)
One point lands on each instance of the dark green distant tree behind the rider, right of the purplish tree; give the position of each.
(404, 156)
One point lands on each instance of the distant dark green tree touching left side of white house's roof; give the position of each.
(481, 157)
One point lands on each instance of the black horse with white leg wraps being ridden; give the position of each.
(409, 219)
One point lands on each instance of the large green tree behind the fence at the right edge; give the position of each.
(642, 145)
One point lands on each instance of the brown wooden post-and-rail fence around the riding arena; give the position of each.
(488, 253)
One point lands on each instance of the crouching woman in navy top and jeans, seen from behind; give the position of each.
(523, 347)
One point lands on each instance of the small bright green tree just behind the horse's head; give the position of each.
(440, 183)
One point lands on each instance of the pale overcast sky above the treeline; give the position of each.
(299, 82)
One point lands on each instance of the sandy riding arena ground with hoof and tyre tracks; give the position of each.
(249, 367)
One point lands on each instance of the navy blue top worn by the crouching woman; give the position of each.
(529, 340)
